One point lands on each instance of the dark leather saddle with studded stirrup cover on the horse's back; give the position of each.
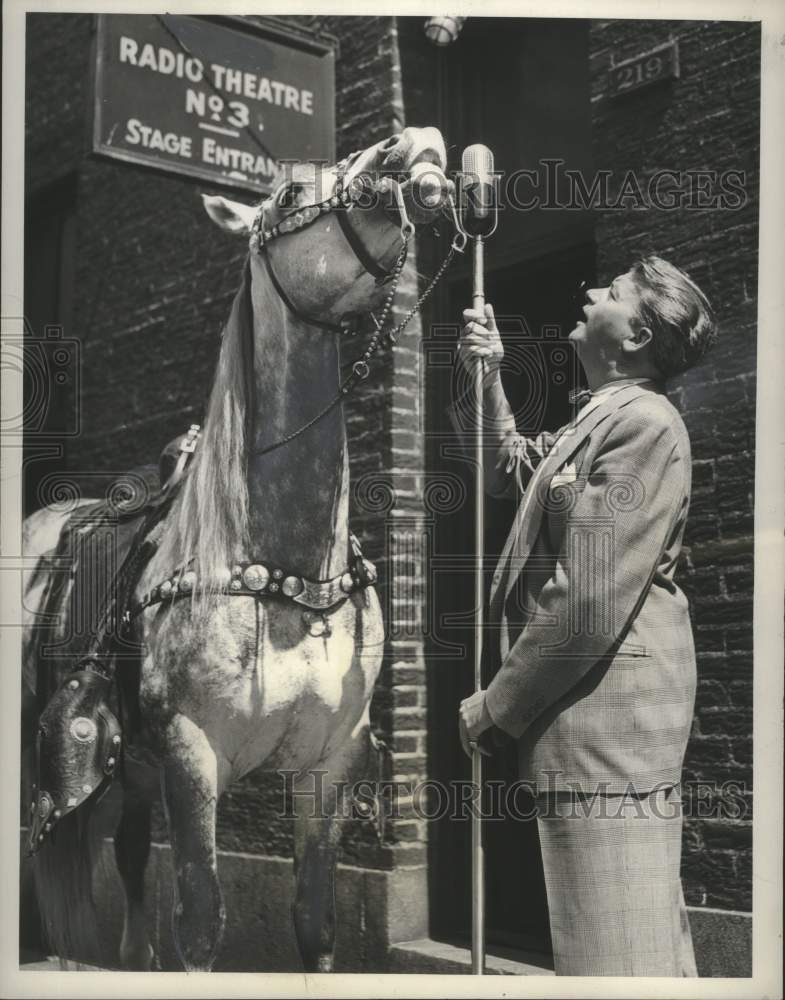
(100, 555)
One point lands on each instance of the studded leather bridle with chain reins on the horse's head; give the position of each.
(344, 198)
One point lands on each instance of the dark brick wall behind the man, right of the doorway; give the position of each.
(705, 120)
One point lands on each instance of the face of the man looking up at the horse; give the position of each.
(609, 315)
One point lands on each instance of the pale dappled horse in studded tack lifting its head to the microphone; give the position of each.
(232, 682)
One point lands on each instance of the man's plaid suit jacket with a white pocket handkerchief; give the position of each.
(597, 672)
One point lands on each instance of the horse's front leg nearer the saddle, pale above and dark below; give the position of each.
(191, 784)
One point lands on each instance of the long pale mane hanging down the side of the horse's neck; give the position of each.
(209, 522)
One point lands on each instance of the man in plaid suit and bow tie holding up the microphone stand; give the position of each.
(597, 675)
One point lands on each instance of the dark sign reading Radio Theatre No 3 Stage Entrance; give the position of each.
(207, 99)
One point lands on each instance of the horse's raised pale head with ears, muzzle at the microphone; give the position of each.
(331, 234)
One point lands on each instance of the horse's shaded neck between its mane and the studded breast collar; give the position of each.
(298, 493)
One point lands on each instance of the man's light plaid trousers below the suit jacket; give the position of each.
(614, 890)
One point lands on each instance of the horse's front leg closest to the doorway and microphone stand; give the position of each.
(320, 802)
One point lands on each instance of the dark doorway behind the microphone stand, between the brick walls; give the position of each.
(521, 87)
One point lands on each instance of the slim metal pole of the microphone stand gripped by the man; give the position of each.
(478, 857)
